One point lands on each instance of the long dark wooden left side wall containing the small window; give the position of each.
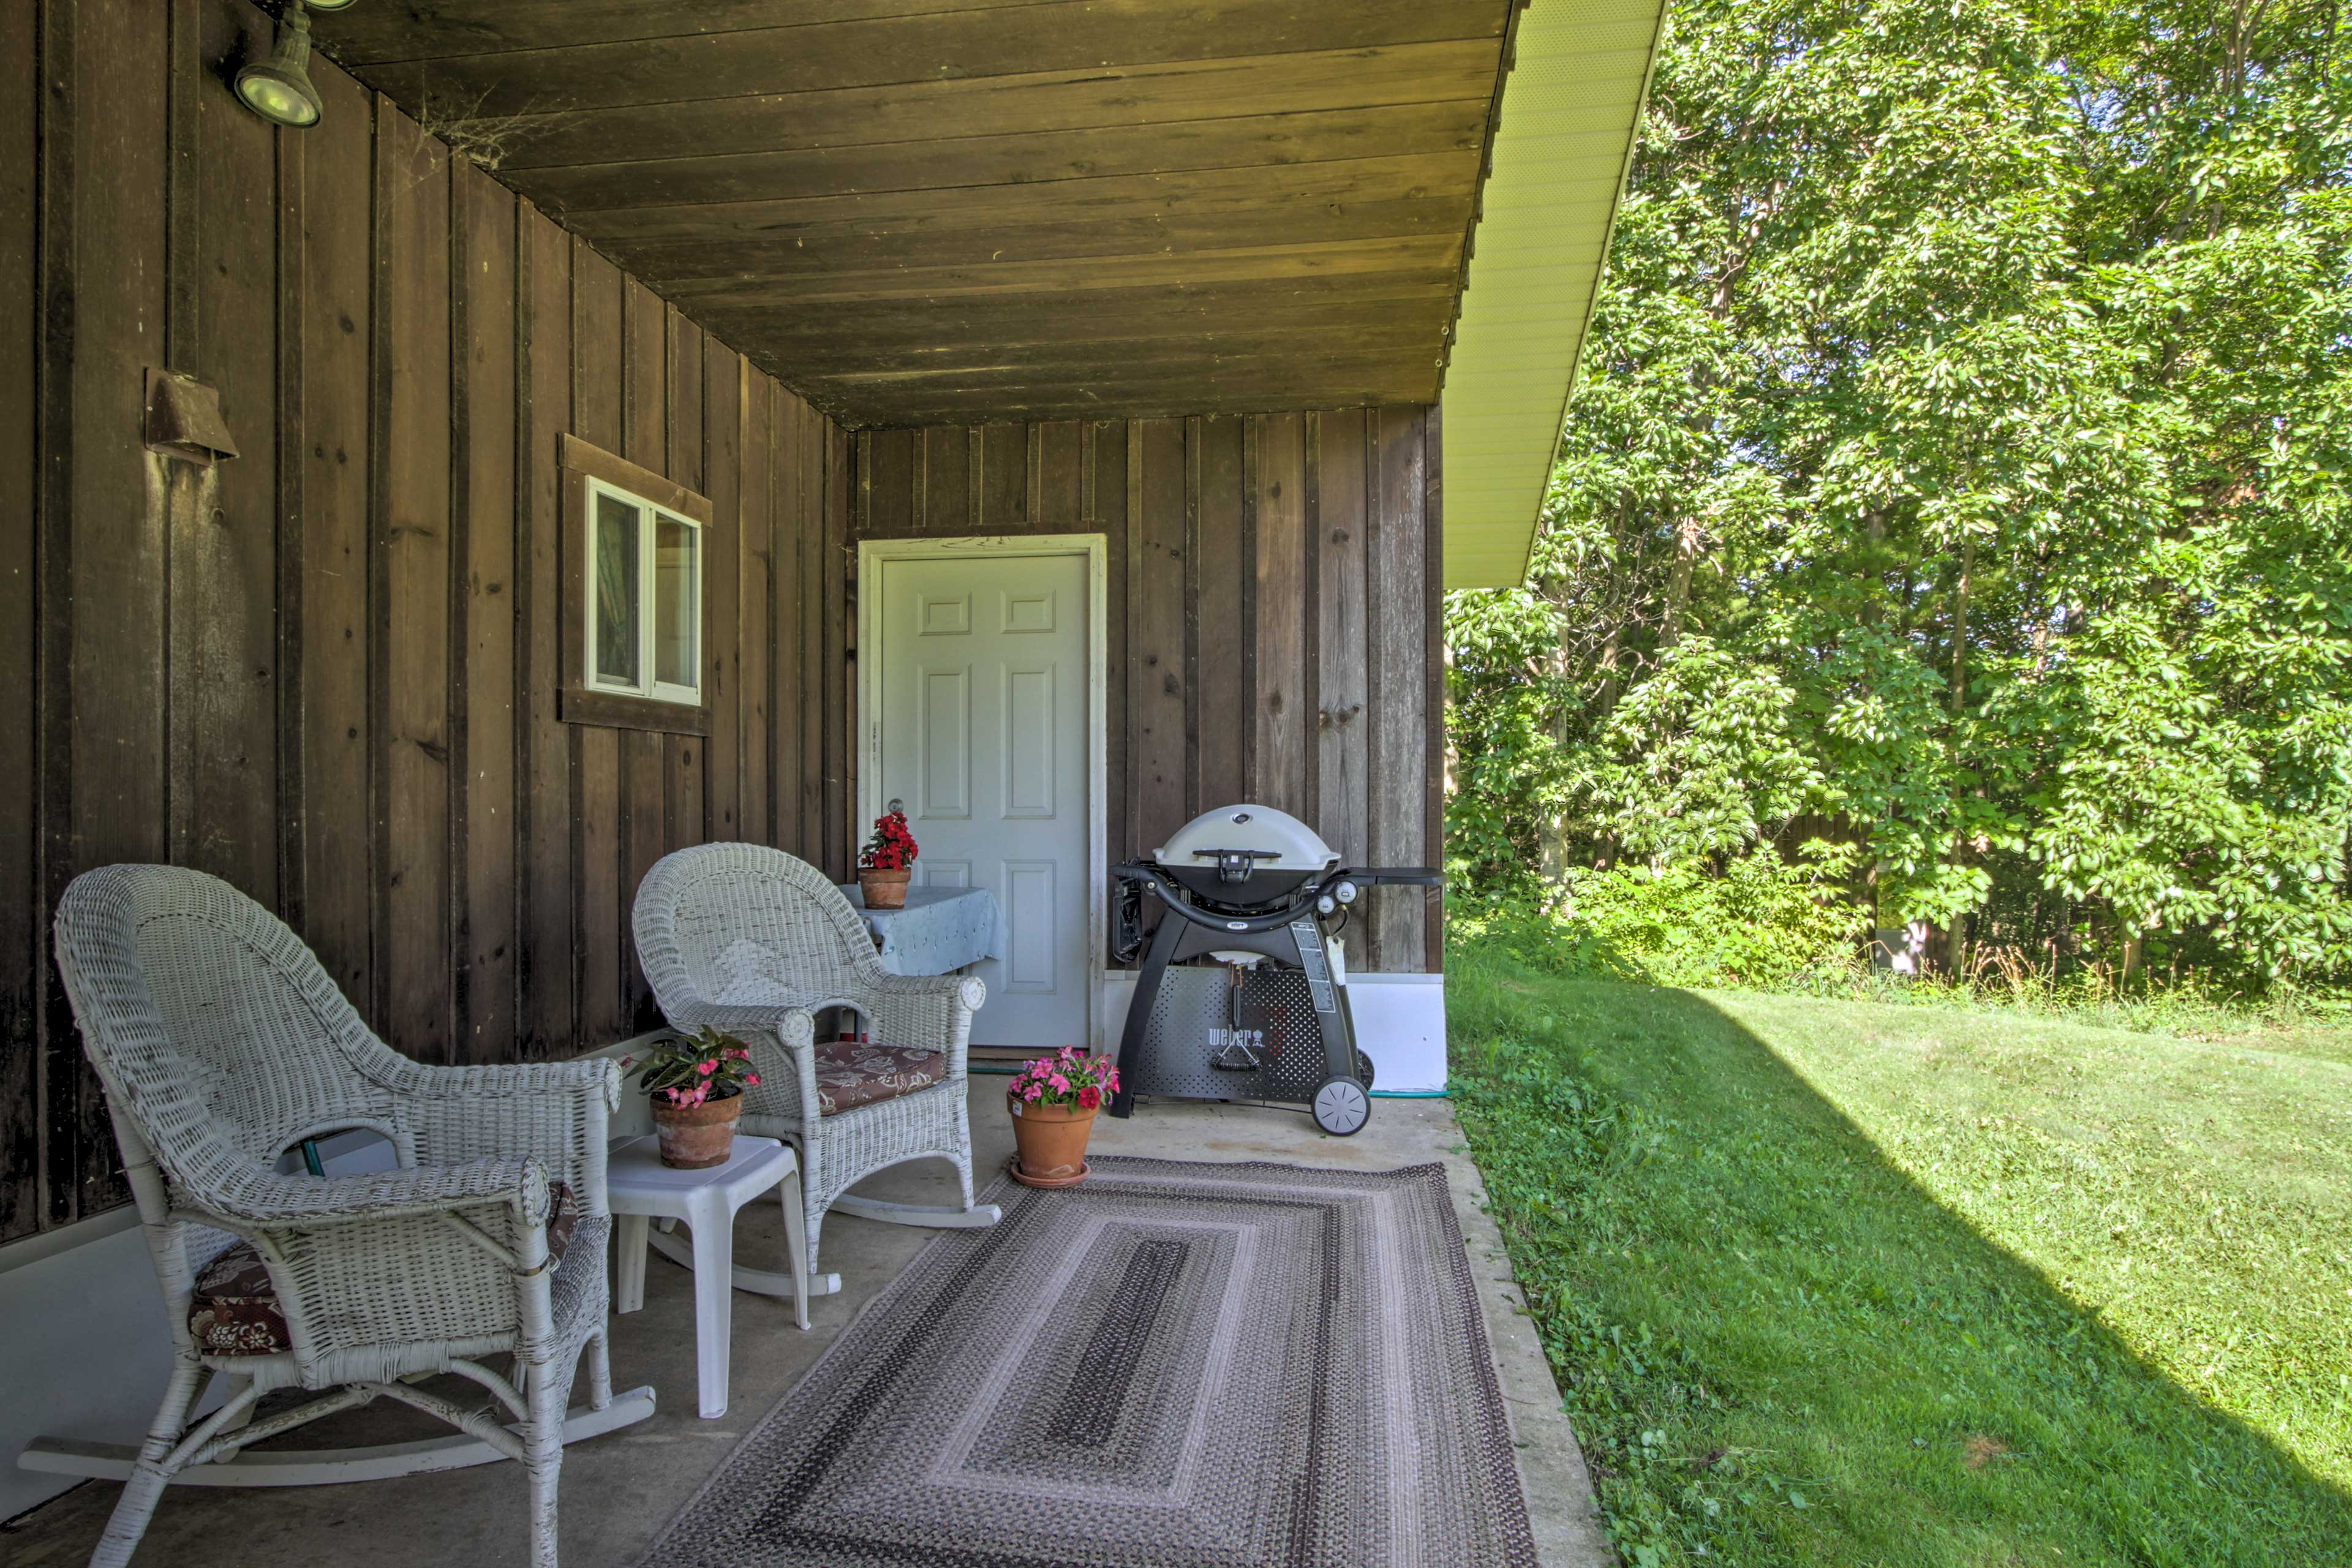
(328, 669)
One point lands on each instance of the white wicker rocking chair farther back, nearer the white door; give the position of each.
(754, 942)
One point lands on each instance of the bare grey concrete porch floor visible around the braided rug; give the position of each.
(617, 1492)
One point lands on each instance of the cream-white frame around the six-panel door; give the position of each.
(1001, 547)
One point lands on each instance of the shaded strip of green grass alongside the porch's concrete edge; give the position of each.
(1779, 1348)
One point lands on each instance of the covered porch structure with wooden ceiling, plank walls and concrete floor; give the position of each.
(314, 443)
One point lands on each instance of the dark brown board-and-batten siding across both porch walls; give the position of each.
(328, 669)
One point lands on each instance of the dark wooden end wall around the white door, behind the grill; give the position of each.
(1274, 615)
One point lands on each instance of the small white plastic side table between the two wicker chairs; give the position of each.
(641, 1188)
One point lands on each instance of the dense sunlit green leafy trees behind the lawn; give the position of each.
(1958, 474)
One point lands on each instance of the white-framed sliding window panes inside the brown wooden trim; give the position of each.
(646, 605)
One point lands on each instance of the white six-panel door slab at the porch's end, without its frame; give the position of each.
(980, 725)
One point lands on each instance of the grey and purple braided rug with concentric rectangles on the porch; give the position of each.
(1168, 1367)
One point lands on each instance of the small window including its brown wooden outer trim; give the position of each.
(634, 596)
